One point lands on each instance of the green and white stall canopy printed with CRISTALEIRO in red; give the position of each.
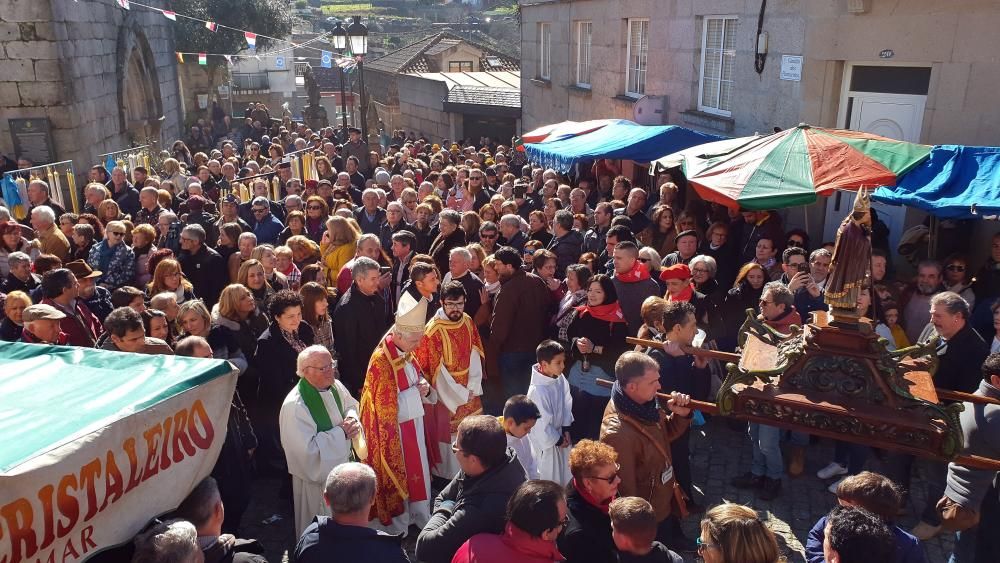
(121, 438)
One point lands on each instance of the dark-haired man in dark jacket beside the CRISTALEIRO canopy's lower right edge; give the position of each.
(204, 509)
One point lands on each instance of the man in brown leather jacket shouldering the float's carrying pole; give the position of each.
(637, 427)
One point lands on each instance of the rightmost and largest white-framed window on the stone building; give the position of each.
(718, 57)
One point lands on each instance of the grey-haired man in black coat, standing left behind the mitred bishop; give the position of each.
(359, 323)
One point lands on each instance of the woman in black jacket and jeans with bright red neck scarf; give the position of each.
(597, 338)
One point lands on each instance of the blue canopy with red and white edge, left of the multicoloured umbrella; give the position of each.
(619, 140)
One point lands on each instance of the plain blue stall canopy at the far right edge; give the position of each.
(955, 182)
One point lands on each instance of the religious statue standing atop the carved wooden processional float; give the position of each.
(851, 265)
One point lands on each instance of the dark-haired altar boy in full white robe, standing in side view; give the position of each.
(549, 390)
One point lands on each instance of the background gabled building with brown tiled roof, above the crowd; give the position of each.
(443, 52)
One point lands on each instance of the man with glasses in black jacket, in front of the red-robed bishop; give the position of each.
(476, 499)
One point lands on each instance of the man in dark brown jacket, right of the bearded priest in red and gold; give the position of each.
(520, 317)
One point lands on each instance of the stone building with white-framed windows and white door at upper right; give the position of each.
(920, 70)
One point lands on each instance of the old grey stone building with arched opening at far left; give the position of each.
(99, 76)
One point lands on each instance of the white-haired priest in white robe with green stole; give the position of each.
(318, 420)
